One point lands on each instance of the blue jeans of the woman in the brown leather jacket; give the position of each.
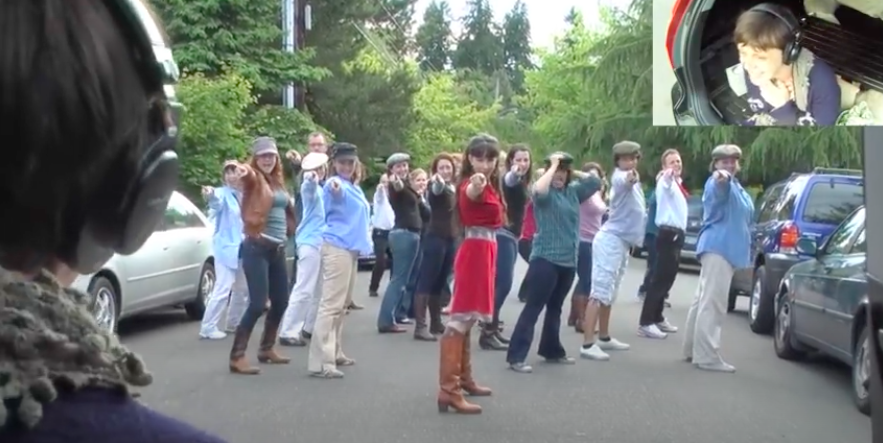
(264, 267)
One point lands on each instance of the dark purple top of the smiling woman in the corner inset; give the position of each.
(822, 102)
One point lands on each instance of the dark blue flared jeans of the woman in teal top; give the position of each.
(548, 285)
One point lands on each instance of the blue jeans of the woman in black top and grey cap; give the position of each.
(405, 247)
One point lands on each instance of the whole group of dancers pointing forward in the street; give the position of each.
(467, 218)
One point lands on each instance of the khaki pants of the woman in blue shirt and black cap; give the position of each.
(339, 277)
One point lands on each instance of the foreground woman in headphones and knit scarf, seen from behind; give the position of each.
(90, 113)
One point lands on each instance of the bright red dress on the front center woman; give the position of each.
(475, 266)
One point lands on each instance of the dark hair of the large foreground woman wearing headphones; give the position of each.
(75, 107)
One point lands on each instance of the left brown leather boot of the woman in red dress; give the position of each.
(450, 395)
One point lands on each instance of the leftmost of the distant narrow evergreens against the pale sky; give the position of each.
(434, 39)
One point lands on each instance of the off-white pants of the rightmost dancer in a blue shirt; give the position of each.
(703, 328)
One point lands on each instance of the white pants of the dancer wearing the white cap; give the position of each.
(303, 302)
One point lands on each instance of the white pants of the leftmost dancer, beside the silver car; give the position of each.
(230, 291)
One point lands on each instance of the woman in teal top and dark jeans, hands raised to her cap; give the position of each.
(556, 196)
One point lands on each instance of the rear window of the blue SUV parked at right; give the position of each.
(830, 202)
